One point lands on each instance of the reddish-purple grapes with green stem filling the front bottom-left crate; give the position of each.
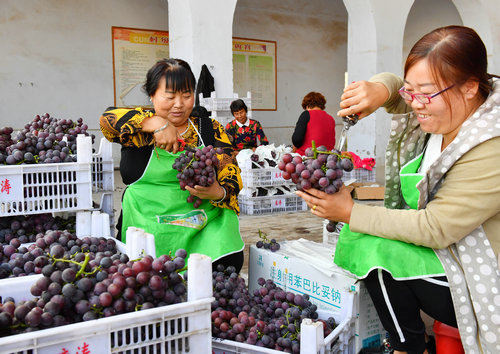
(88, 285)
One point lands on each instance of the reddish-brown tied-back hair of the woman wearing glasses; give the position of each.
(455, 54)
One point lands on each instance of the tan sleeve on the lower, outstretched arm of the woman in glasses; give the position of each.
(468, 197)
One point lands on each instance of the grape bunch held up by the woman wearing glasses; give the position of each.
(319, 168)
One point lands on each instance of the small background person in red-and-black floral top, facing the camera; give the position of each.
(244, 133)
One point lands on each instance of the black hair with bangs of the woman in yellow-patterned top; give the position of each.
(177, 73)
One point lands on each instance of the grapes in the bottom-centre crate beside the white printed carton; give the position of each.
(270, 317)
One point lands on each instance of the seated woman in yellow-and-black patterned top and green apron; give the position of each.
(153, 200)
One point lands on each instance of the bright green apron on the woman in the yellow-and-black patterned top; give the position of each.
(156, 204)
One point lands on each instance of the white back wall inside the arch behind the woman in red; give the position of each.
(311, 40)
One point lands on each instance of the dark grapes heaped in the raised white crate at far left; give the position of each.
(44, 140)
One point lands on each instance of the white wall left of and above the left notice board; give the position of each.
(56, 56)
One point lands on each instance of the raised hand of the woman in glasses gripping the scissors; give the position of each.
(362, 98)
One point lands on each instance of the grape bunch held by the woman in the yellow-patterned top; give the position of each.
(197, 167)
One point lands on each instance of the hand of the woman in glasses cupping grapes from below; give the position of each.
(334, 207)
